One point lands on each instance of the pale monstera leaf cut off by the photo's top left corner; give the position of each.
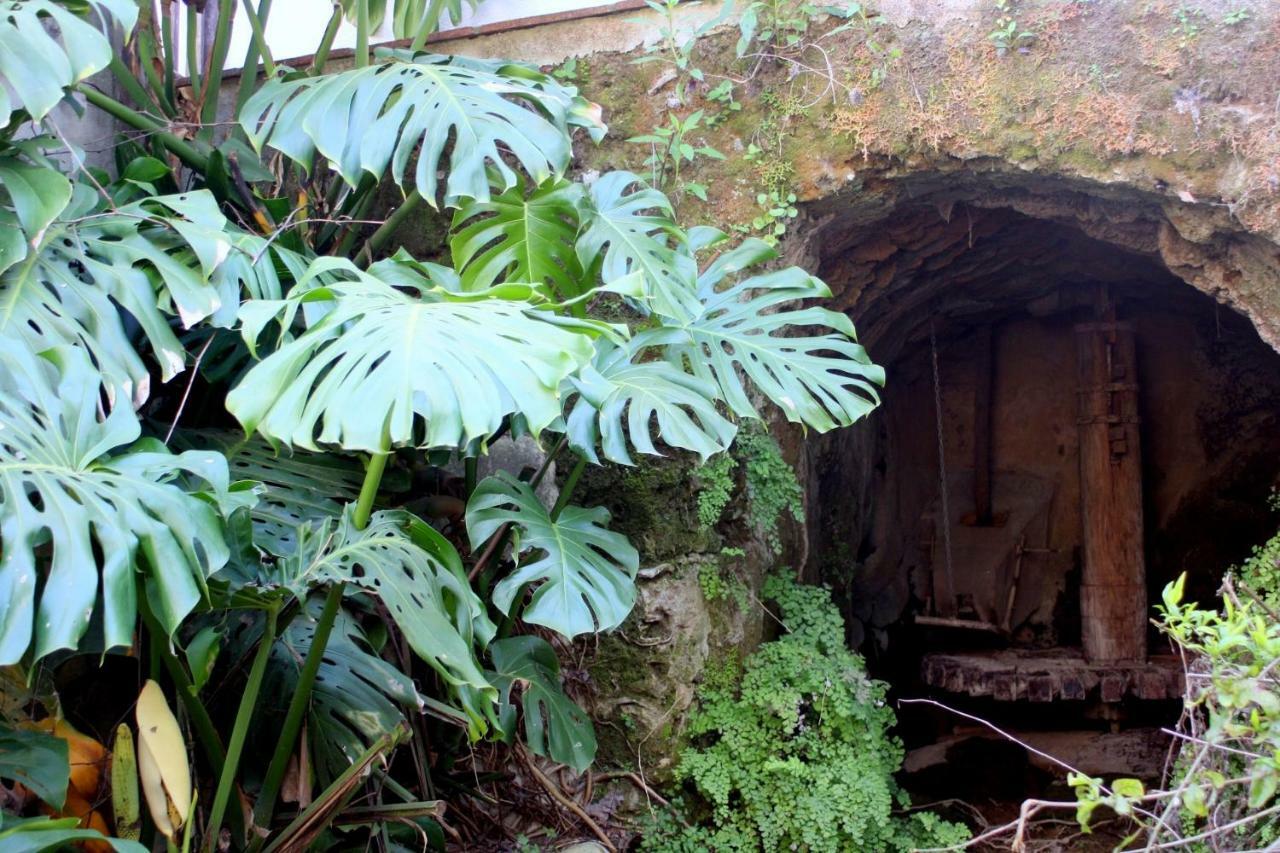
(39, 62)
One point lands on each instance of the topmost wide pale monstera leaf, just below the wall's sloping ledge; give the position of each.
(461, 116)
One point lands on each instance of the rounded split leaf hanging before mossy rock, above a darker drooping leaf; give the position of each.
(586, 573)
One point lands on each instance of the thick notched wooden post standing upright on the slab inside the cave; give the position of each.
(1113, 590)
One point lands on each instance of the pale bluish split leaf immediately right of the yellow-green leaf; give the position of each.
(627, 232)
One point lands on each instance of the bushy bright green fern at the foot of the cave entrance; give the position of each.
(792, 751)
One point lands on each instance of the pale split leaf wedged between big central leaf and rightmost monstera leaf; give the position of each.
(621, 399)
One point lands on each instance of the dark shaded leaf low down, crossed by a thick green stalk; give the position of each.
(358, 697)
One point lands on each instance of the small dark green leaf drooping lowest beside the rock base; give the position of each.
(555, 727)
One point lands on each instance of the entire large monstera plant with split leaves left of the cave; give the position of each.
(222, 396)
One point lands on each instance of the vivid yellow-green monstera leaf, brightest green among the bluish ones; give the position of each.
(522, 238)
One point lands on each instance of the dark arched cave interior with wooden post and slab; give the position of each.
(1067, 427)
